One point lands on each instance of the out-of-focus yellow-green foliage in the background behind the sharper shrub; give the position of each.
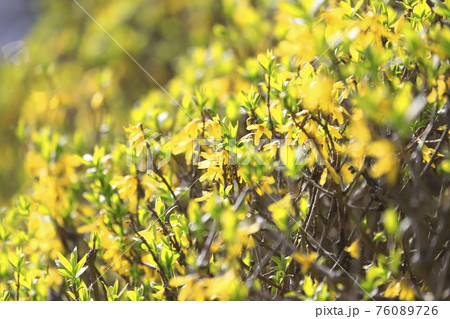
(60, 72)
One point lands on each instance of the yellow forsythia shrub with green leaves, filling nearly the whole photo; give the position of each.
(299, 151)
